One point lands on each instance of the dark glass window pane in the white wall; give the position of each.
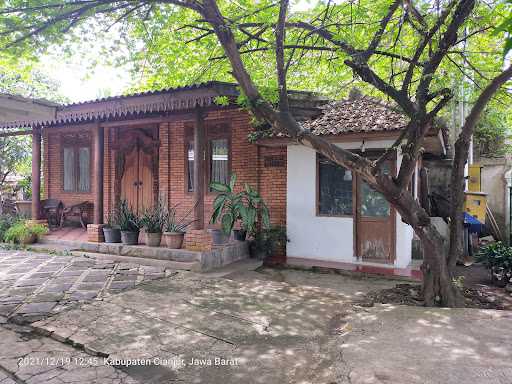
(335, 189)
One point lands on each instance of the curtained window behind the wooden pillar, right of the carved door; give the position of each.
(218, 155)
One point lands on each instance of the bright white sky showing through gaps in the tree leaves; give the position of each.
(85, 78)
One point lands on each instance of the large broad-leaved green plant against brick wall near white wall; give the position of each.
(245, 207)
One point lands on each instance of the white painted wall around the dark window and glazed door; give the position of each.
(326, 238)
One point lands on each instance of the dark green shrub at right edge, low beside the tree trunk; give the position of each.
(497, 257)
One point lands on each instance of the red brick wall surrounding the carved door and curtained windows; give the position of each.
(247, 161)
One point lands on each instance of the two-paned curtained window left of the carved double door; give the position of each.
(76, 163)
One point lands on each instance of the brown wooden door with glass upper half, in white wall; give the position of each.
(375, 225)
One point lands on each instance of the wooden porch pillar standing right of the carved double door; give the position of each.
(199, 170)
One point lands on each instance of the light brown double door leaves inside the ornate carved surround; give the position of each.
(137, 180)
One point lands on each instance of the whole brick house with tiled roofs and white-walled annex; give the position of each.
(143, 147)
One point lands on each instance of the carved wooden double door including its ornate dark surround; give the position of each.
(137, 167)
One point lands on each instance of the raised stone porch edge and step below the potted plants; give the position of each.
(75, 241)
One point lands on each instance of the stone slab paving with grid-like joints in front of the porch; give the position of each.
(35, 285)
